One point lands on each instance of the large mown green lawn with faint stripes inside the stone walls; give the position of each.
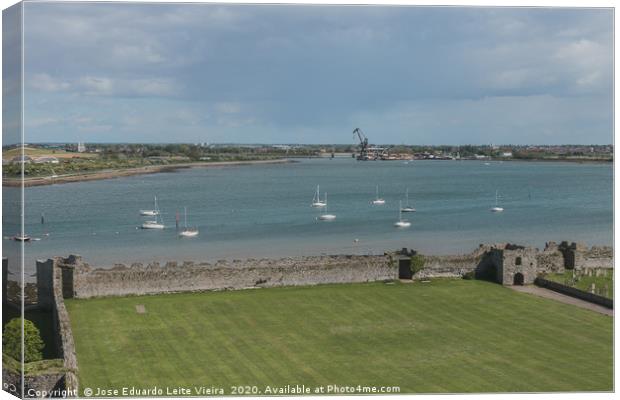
(443, 336)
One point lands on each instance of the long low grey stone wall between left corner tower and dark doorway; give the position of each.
(139, 279)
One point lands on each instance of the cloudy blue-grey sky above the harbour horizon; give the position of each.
(311, 74)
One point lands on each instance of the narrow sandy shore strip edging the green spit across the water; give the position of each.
(118, 173)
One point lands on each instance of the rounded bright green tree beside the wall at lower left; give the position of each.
(12, 340)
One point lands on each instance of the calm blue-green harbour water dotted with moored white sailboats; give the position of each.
(264, 211)
